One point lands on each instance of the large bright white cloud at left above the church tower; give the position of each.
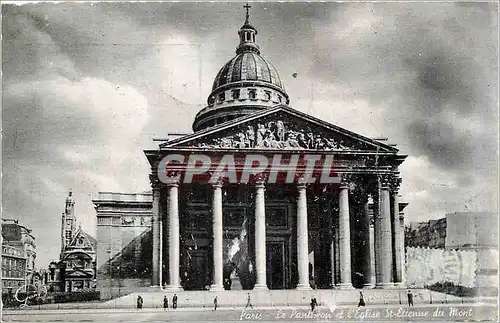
(63, 130)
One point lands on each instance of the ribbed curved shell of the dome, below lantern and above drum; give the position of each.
(247, 66)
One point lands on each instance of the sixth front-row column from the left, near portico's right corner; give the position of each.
(385, 254)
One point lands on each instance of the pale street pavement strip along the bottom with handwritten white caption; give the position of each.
(395, 313)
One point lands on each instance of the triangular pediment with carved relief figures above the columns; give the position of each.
(281, 128)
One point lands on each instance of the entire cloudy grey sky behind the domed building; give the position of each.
(86, 86)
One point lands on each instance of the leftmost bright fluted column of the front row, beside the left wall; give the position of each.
(173, 236)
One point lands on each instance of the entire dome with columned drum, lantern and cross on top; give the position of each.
(246, 84)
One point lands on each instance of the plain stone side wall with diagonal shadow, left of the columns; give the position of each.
(124, 252)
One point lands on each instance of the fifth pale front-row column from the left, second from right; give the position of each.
(344, 238)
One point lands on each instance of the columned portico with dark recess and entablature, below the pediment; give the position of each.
(295, 235)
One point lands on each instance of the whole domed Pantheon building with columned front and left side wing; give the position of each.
(258, 234)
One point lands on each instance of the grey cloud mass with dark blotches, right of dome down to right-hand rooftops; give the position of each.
(430, 74)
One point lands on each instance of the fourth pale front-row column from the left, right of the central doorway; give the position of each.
(302, 239)
